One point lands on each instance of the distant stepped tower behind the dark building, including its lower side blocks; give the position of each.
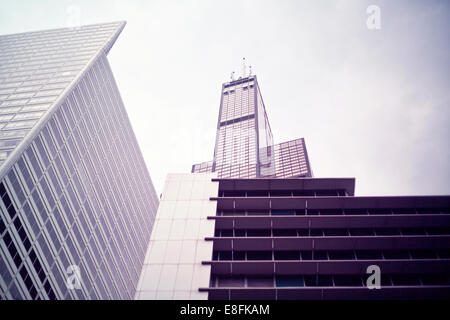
(244, 142)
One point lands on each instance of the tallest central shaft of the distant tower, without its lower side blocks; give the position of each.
(244, 143)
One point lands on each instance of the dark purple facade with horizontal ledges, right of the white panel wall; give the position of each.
(311, 238)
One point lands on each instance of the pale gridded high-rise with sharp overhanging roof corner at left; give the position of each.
(77, 203)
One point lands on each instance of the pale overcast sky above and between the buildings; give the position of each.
(371, 104)
